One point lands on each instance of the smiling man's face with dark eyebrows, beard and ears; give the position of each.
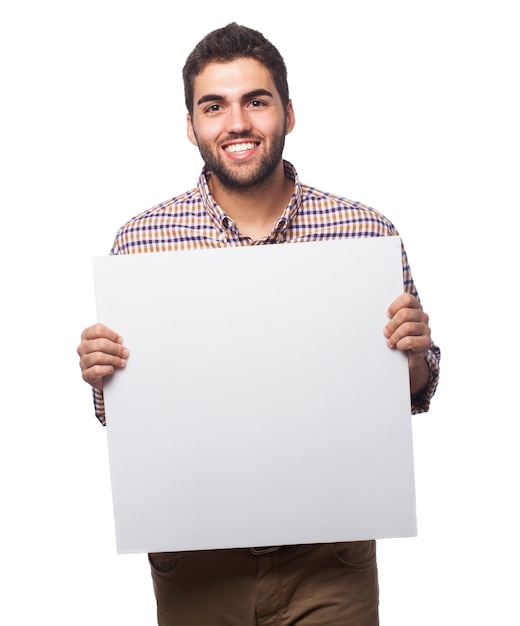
(239, 122)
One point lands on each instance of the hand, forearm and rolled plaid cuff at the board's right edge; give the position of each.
(408, 330)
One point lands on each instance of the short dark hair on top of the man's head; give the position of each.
(228, 44)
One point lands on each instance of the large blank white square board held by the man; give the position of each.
(260, 404)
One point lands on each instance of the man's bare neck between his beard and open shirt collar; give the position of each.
(255, 210)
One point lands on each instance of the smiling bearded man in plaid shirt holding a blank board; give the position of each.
(239, 113)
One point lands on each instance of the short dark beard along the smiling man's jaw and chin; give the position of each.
(243, 176)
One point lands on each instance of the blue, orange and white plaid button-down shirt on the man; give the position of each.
(194, 220)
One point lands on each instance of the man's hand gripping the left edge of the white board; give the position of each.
(101, 352)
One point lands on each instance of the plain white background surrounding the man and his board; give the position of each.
(408, 106)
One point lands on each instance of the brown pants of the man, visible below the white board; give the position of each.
(306, 585)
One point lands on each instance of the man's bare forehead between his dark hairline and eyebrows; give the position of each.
(233, 78)
